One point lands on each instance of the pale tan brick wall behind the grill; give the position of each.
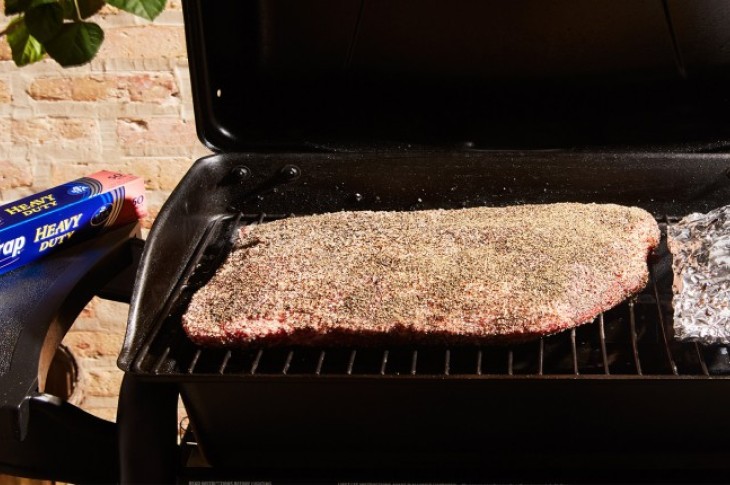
(128, 110)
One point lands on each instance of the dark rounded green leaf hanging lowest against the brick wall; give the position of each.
(76, 43)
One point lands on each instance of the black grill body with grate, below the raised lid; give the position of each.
(617, 394)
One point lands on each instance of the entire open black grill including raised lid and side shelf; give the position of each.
(377, 105)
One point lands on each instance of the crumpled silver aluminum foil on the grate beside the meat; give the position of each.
(700, 244)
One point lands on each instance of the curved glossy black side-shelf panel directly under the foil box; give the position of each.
(40, 302)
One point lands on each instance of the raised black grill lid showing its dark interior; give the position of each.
(318, 75)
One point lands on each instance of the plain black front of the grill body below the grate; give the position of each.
(460, 428)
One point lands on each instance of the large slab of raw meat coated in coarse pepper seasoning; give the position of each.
(467, 276)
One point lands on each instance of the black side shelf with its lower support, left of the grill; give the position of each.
(42, 436)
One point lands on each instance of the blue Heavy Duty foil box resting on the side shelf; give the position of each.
(40, 224)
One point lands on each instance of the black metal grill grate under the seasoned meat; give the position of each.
(634, 339)
